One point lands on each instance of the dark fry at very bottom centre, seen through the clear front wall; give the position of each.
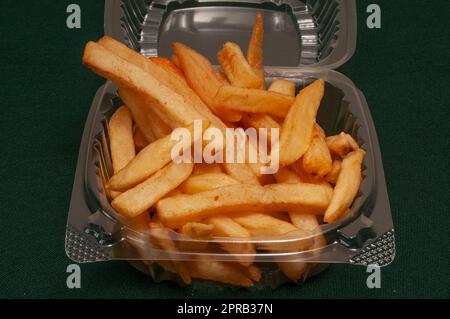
(207, 268)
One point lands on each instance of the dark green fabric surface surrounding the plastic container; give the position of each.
(403, 70)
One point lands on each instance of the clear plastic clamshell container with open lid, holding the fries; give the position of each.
(305, 40)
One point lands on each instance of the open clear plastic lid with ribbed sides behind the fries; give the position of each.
(312, 33)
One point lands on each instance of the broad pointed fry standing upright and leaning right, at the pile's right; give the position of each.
(297, 130)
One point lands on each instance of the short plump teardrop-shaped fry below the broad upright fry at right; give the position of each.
(317, 160)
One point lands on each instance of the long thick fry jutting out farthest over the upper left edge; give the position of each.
(126, 74)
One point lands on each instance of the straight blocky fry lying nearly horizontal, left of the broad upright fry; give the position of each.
(252, 101)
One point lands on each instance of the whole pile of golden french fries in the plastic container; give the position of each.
(317, 183)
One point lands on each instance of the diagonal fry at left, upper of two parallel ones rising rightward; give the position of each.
(146, 163)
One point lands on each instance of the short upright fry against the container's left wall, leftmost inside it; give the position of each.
(121, 138)
